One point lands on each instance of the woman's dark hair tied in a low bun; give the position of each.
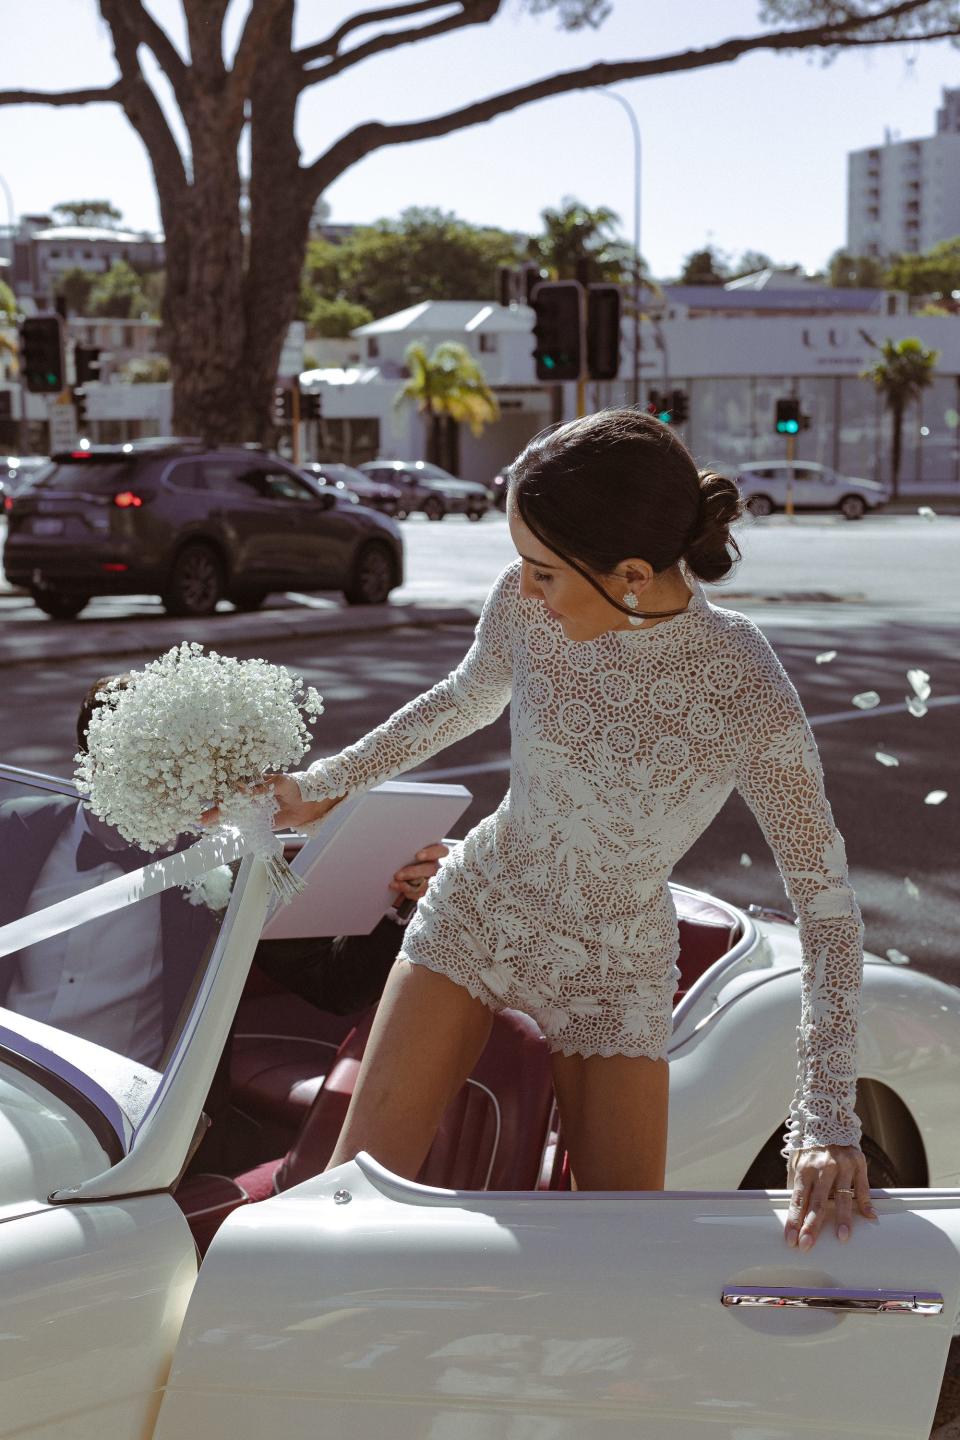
(620, 485)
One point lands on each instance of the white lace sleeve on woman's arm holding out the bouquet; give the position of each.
(471, 698)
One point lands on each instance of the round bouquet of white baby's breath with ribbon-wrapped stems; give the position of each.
(189, 732)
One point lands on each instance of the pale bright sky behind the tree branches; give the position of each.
(743, 156)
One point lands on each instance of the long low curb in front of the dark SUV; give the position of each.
(99, 639)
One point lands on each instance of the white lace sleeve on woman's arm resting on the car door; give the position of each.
(782, 781)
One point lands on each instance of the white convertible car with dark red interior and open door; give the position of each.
(142, 1298)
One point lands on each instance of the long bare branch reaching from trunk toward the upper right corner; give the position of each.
(363, 140)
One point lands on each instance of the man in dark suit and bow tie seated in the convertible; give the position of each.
(123, 980)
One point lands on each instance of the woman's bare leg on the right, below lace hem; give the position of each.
(614, 1115)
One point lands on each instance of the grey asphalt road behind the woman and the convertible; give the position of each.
(880, 594)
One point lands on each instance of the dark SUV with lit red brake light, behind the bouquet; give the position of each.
(194, 525)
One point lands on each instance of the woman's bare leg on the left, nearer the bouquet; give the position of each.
(427, 1039)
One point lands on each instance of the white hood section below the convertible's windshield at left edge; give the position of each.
(44, 1144)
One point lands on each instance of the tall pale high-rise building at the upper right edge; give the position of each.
(905, 197)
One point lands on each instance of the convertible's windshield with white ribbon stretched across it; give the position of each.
(99, 971)
